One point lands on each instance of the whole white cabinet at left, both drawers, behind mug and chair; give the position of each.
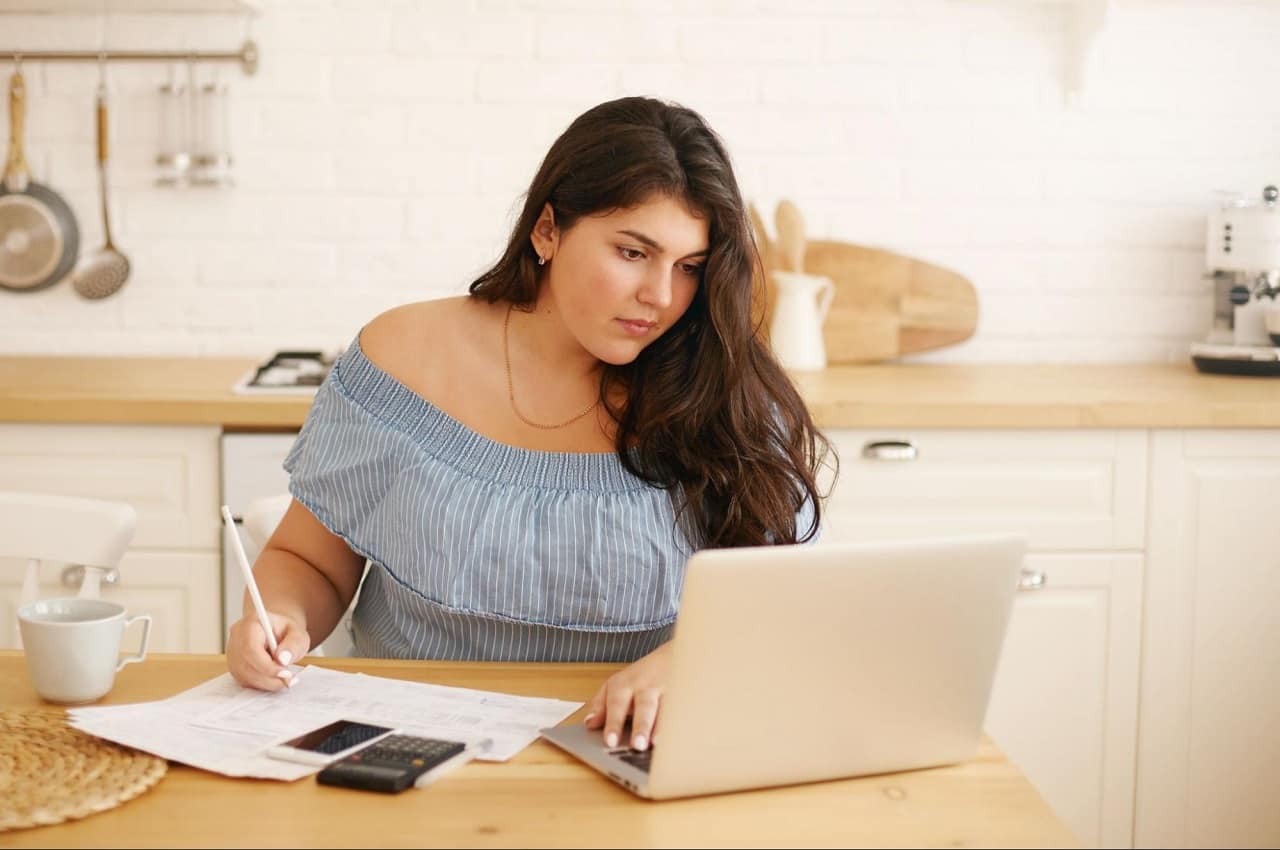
(170, 474)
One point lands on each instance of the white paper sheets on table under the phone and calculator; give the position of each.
(225, 728)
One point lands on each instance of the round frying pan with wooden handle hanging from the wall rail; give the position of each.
(39, 237)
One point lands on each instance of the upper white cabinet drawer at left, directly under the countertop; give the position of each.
(168, 474)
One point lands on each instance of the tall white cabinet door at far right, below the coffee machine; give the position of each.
(1209, 750)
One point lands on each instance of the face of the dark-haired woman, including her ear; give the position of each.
(621, 280)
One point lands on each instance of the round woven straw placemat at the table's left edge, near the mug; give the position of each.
(51, 773)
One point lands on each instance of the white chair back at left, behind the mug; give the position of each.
(90, 534)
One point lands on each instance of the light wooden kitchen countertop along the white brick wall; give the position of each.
(186, 391)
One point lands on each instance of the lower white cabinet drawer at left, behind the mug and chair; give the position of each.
(181, 591)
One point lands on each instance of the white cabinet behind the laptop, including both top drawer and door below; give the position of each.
(1066, 701)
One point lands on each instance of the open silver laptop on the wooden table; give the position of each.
(816, 662)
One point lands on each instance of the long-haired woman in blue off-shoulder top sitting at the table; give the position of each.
(528, 468)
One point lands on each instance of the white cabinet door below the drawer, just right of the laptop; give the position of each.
(1066, 702)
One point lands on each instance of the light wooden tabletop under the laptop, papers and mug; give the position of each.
(542, 798)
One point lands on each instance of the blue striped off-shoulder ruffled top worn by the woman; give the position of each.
(481, 551)
